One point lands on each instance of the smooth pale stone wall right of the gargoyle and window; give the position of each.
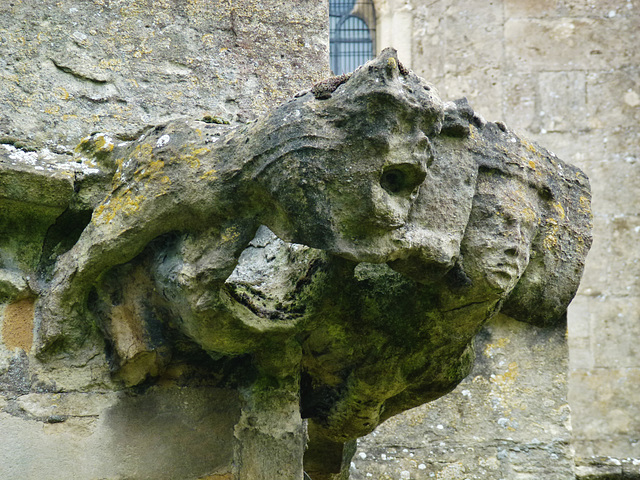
(567, 74)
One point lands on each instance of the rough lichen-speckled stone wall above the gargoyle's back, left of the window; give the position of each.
(120, 65)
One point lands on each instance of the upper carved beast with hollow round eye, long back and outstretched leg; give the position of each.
(339, 174)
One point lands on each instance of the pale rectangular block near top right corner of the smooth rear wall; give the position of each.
(567, 43)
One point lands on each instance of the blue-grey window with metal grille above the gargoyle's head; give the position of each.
(352, 34)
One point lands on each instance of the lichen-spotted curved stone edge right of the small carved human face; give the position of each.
(558, 253)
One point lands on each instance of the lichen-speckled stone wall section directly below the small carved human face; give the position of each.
(509, 419)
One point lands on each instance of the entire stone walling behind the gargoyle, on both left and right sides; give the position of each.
(563, 72)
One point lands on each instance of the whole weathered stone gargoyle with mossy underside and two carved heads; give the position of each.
(410, 222)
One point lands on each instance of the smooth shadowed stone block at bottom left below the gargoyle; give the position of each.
(164, 433)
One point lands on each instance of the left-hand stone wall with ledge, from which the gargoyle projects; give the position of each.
(69, 68)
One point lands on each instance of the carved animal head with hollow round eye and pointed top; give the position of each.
(346, 160)
